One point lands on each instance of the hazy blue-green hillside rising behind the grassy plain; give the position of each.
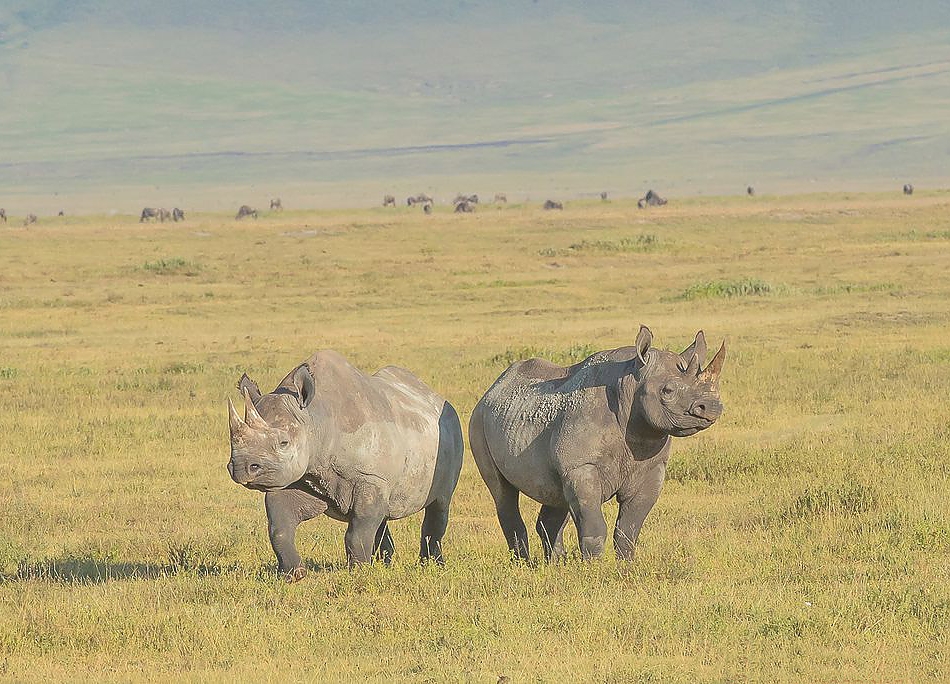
(115, 104)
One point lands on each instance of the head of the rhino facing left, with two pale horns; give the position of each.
(269, 445)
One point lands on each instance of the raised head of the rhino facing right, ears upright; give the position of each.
(675, 394)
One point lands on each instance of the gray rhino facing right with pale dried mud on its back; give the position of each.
(572, 438)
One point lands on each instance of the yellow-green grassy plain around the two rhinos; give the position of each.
(805, 537)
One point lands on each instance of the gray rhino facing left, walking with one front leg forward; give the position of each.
(361, 449)
